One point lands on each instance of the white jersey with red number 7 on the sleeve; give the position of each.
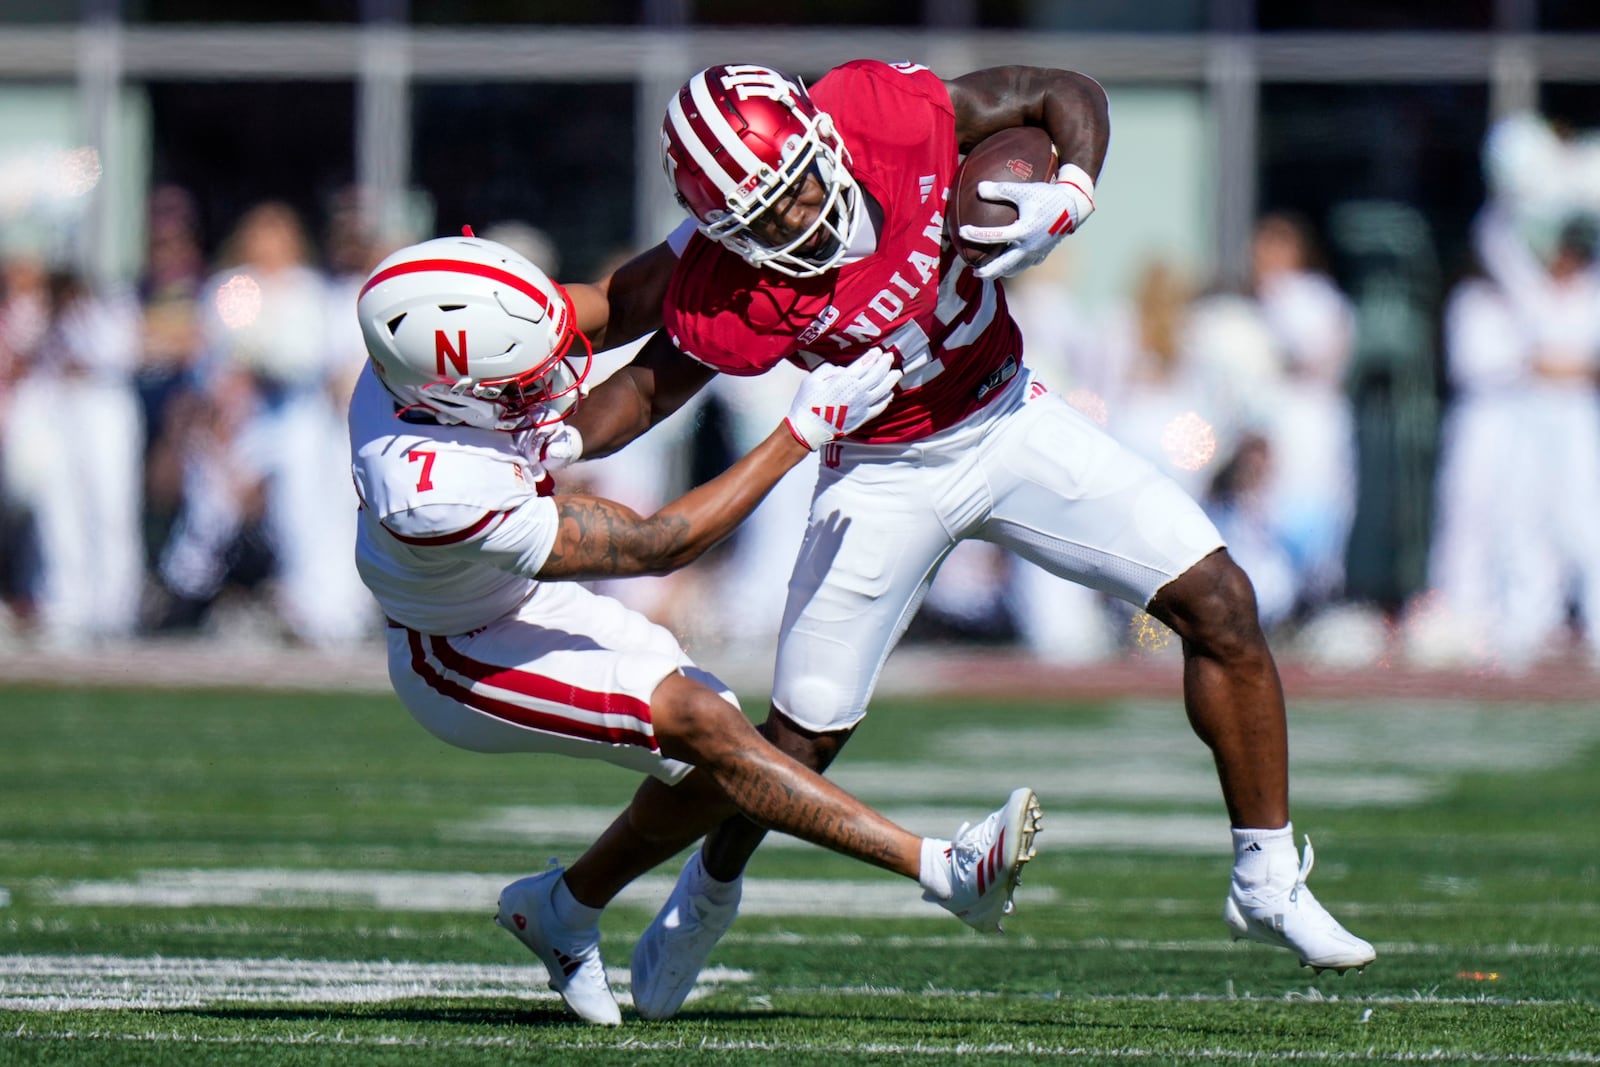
(455, 521)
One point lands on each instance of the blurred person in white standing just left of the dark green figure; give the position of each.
(1311, 490)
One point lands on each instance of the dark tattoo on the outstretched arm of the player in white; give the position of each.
(602, 538)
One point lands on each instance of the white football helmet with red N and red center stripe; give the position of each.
(474, 334)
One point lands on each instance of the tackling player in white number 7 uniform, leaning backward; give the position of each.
(495, 647)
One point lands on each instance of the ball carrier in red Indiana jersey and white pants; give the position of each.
(818, 234)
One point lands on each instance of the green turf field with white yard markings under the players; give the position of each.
(284, 879)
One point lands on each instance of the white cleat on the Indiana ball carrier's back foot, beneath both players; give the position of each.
(674, 948)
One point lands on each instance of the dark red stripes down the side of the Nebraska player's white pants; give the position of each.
(532, 685)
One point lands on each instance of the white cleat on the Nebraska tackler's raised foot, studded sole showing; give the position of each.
(986, 863)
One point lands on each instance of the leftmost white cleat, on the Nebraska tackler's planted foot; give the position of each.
(570, 956)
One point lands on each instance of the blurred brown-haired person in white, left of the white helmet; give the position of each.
(274, 428)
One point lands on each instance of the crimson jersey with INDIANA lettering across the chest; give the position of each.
(951, 334)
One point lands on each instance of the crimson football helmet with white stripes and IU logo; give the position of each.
(735, 140)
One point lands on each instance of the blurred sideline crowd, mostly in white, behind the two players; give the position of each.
(1394, 423)
